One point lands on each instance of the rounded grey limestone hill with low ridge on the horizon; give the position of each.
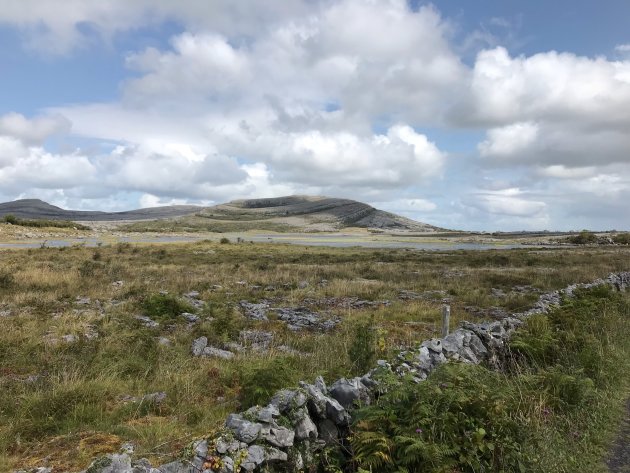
(291, 213)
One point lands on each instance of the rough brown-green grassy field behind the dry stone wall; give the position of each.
(75, 363)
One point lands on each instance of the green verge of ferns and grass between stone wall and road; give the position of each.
(553, 408)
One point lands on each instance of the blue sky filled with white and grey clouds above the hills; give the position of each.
(486, 115)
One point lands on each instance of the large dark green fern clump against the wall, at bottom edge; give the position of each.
(458, 420)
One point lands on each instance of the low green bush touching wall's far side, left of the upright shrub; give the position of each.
(262, 378)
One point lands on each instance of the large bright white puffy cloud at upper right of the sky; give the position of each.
(551, 85)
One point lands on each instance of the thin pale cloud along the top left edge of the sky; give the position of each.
(55, 30)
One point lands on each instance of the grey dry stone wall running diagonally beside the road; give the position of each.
(292, 431)
